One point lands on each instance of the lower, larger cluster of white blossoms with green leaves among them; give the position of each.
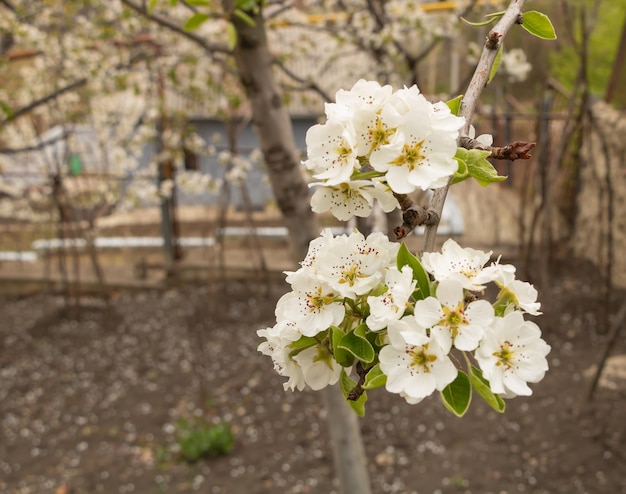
(359, 303)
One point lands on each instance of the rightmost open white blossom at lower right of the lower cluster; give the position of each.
(513, 354)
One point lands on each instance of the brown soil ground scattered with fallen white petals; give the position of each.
(92, 393)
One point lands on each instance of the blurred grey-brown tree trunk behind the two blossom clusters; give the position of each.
(274, 130)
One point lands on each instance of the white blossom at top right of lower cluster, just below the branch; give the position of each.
(456, 262)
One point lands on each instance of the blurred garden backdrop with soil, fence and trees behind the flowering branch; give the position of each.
(140, 237)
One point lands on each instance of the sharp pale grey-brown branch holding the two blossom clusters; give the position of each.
(511, 16)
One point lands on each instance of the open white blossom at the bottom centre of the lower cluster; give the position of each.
(414, 363)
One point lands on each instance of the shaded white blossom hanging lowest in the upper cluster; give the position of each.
(355, 198)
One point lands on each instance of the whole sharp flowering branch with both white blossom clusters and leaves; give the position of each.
(365, 312)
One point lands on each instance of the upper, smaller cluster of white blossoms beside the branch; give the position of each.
(375, 142)
